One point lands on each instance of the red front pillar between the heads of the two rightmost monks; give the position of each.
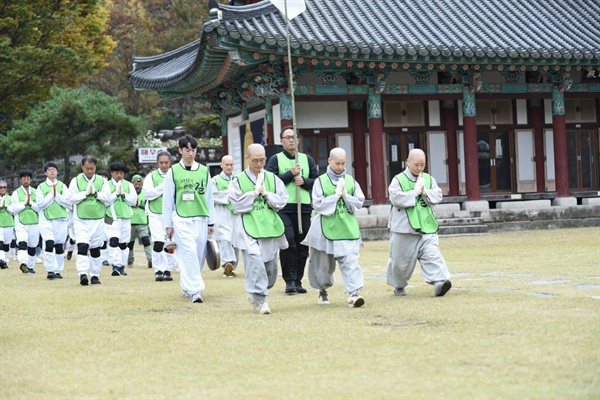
(378, 185)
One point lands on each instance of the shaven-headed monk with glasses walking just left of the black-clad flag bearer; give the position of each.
(256, 195)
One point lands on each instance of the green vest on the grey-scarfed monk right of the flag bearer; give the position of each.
(342, 225)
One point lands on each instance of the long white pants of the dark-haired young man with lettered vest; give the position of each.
(190, 235)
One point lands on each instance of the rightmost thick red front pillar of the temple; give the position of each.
(559, 127)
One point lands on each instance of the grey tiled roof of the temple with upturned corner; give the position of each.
(561, 32)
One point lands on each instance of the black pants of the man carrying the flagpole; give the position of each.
(293, 259)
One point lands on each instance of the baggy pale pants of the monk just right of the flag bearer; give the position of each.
(321, 267)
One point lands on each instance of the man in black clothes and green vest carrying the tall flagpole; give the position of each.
(293, 175)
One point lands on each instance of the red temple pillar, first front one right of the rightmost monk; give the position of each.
(470, 141)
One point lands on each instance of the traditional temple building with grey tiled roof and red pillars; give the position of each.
(502, 95)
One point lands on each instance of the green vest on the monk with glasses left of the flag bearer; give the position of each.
(262, 222)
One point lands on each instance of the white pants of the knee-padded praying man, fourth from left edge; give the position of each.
(91, 232)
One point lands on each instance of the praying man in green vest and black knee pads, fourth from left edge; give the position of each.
(90, 194)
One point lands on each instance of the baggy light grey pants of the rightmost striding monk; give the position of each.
(406, 249)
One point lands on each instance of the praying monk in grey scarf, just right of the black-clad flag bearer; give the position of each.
(334, 235)
